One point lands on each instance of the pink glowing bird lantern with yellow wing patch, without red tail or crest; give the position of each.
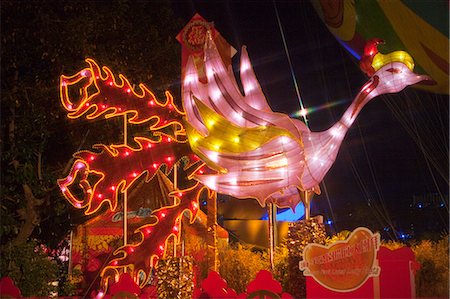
(262, 154)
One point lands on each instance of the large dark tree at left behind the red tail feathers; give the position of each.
(40, 41)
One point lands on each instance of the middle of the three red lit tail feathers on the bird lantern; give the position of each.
(118, 167)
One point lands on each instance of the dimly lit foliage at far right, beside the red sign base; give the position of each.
(432, 279)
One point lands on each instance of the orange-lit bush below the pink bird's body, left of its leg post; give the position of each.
(239, 265)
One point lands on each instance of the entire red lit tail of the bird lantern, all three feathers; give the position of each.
(103, 176)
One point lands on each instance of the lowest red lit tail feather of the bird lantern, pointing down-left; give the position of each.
(139, 258)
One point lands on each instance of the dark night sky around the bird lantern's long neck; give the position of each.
(381, 161)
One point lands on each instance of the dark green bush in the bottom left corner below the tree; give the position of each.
(30, 267)
